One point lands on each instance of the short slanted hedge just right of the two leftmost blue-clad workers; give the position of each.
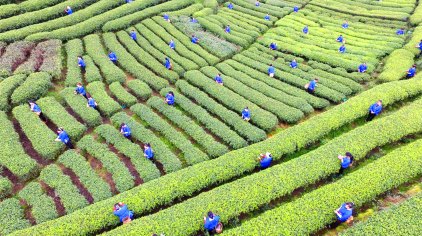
(57, 114)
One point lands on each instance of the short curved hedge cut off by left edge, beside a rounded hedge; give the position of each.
(7, 86)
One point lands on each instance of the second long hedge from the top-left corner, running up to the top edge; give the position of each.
(44, 14)
